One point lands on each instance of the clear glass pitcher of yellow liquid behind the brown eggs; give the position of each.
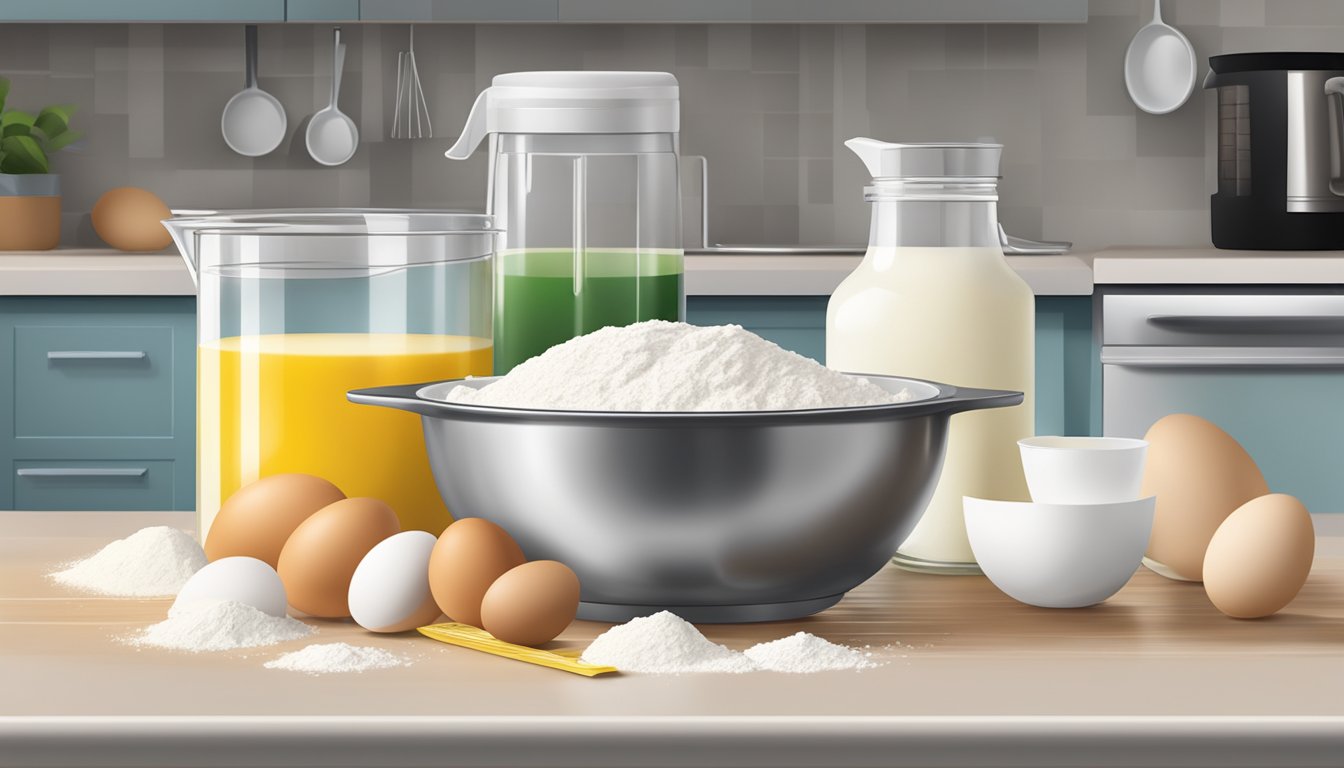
(299, 307)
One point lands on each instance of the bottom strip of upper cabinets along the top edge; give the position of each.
(553, 11)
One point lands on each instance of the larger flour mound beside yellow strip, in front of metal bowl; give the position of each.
(663, 644)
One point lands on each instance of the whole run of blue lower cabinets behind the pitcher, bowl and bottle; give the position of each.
(97, 395)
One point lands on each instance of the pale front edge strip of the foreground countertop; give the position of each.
(669, 742)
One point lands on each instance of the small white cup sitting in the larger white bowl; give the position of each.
(1084, 470)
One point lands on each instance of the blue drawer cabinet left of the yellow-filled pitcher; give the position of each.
(97, 403)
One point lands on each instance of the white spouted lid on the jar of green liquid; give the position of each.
(572, 103)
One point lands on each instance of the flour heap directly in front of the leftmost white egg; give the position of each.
(221, 627)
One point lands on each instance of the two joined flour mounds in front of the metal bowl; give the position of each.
(665, 644)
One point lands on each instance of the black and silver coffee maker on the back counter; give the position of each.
(1280, 151)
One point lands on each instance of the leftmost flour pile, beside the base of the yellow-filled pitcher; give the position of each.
(151, 563)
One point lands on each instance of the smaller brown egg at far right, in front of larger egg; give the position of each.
(1260, 558)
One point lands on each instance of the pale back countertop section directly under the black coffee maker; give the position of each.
(1214, 267)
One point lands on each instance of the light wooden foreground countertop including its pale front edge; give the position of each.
(1154, 677)
